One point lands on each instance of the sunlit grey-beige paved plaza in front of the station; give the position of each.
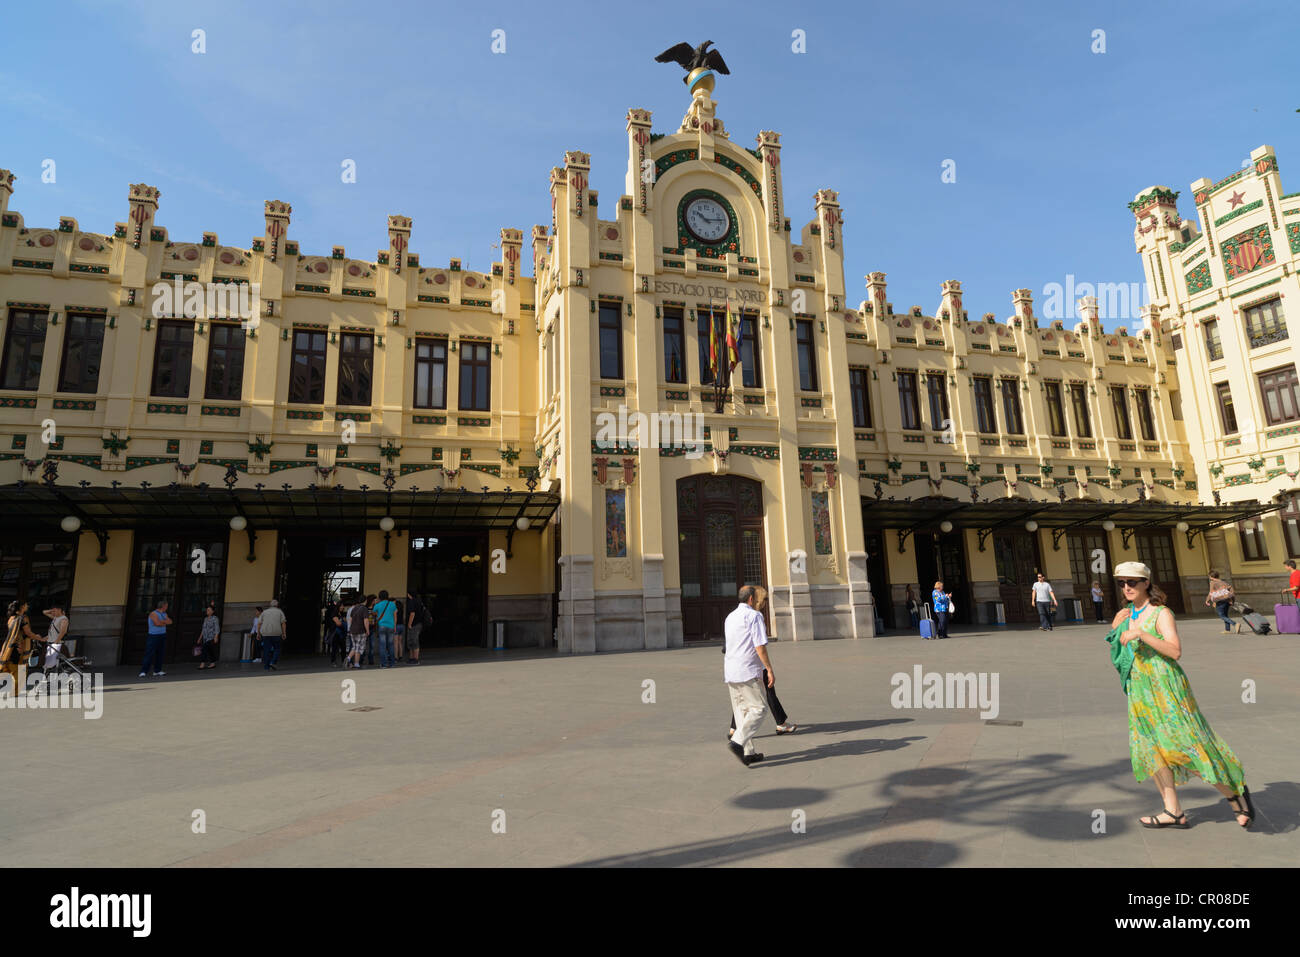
(482, 759)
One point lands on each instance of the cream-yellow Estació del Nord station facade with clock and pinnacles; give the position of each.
(574, 453)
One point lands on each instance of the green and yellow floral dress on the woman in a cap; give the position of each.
(1167, 728)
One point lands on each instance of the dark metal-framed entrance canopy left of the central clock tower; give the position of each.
(41, 508)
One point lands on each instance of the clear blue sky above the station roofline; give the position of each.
(1050, 140)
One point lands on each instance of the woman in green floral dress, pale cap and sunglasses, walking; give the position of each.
(1168, 737)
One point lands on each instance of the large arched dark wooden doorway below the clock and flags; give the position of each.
(720, 547)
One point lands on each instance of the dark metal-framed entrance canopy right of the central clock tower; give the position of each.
(1011, 514)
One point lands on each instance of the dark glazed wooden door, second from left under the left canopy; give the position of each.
(167, 570)
